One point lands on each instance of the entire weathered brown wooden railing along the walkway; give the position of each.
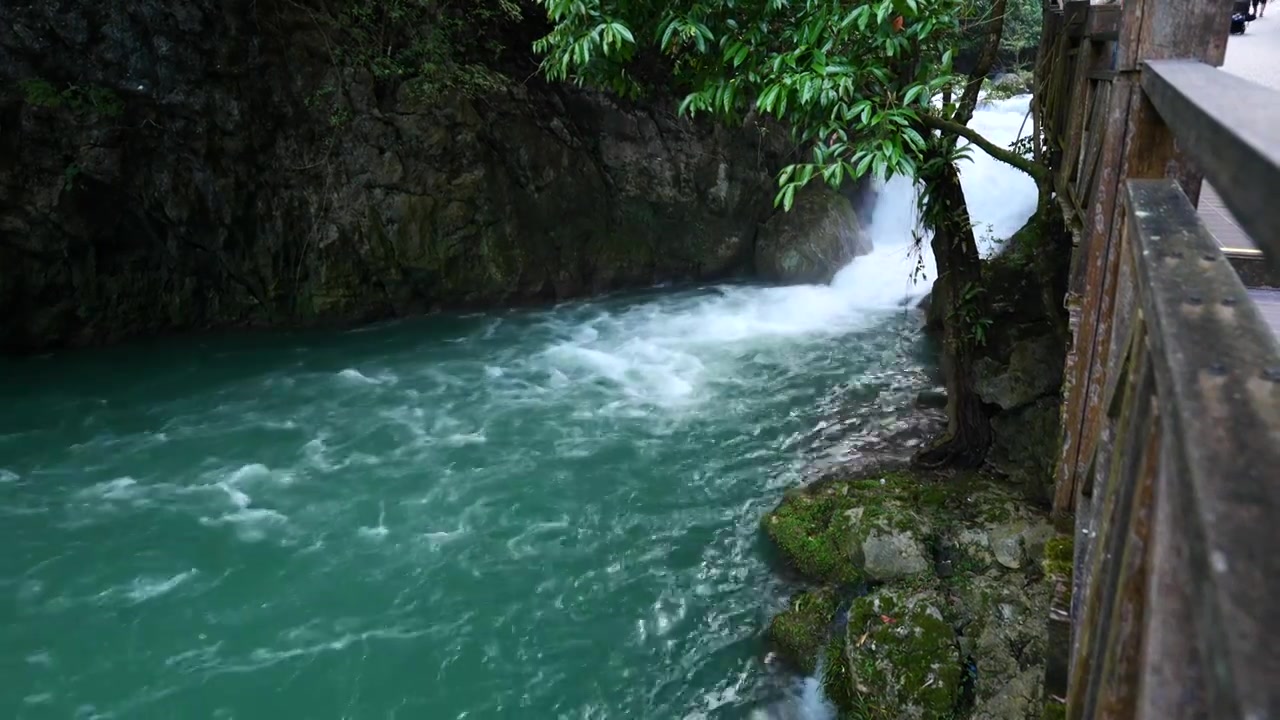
(1172, 404)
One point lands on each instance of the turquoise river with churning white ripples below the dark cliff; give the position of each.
(533, 514)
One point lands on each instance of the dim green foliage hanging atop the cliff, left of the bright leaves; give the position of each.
(435, 47)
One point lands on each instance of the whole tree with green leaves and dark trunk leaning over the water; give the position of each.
(867, 88)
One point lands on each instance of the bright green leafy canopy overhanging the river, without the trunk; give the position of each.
(851, 78)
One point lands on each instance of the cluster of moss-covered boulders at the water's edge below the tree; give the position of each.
(954, 562)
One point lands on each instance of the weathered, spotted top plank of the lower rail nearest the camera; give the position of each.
(1218, 370)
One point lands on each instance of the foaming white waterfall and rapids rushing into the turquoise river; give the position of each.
(676, 350)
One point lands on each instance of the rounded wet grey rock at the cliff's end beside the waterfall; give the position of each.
(811, 243)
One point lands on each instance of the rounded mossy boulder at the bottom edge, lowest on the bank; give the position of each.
(898, 659)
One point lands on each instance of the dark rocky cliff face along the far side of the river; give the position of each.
(207, 163)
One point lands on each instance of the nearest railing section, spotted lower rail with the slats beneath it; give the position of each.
(1181, 518)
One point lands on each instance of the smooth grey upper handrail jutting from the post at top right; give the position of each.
(1228, 125)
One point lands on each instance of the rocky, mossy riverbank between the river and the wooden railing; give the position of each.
(925, 595)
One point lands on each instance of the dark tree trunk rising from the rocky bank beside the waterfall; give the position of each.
(968, 435)
